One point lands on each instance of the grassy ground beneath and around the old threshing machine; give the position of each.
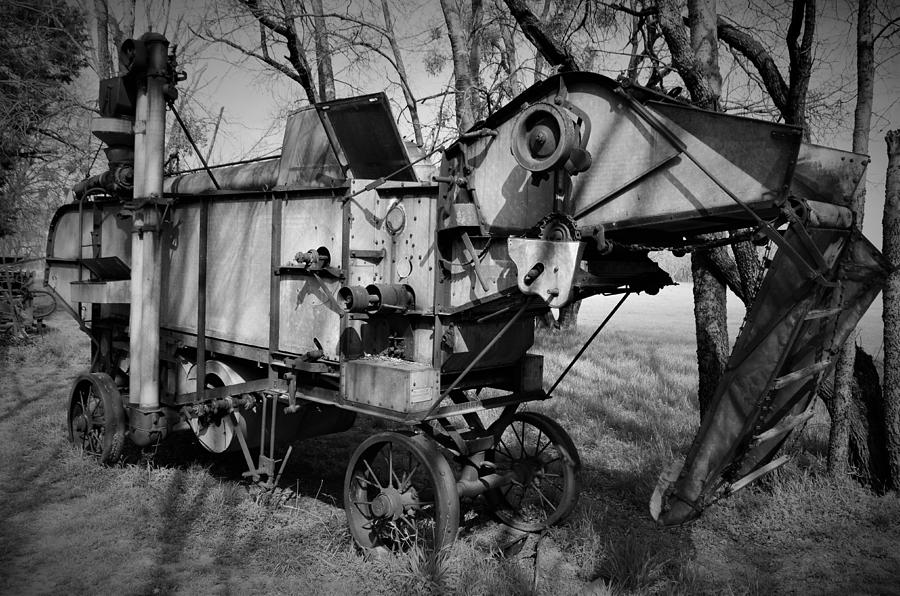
(181, 521)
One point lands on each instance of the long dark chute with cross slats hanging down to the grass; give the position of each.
(788, 345)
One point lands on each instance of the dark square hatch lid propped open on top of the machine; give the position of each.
(365, 137)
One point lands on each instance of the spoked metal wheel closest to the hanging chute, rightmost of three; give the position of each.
(543, 462)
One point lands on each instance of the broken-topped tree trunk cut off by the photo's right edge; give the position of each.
(891, 314)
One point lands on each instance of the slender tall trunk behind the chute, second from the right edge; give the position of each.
(843, 375)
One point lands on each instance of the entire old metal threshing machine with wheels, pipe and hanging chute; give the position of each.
(265, 302)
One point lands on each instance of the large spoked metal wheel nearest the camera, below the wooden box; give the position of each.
(400, 492)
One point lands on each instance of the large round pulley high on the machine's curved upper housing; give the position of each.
(543, 137)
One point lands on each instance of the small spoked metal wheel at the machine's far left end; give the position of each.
(97, 418)
